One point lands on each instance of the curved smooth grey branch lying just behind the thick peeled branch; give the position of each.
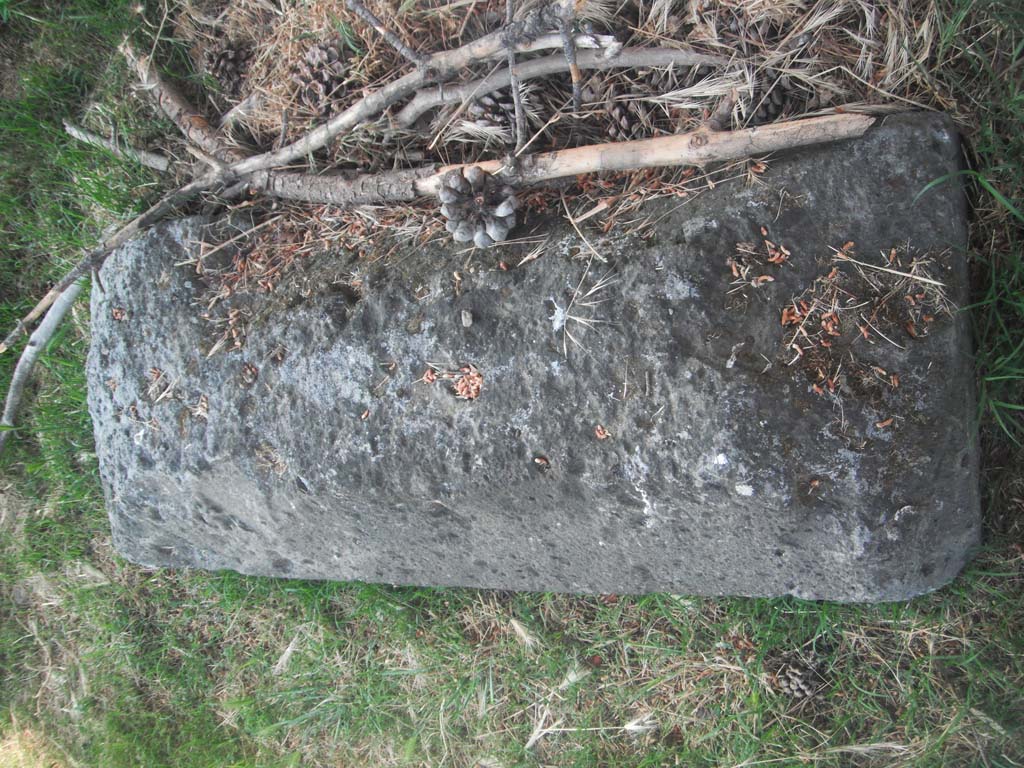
(538, 68)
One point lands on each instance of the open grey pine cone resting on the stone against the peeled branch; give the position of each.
(477, 207)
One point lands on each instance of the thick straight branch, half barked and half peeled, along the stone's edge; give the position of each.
(699, 148)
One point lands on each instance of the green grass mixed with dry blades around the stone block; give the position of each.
(119, 666)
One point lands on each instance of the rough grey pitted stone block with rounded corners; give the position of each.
(718, 477)
